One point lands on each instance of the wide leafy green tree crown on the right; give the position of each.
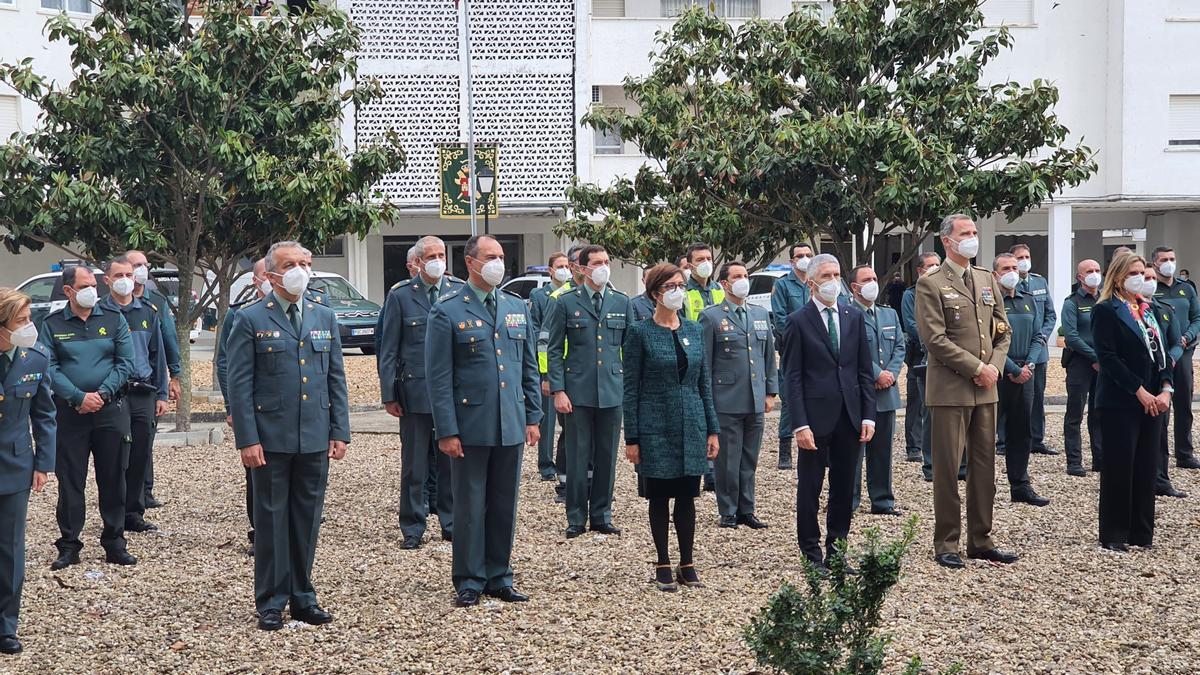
(874, 123)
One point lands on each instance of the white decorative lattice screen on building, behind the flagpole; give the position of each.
(525, 99)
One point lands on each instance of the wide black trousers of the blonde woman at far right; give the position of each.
(1127, 481)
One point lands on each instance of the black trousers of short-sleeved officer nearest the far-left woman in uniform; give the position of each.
(105, 437)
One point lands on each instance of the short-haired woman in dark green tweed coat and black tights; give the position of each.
(670, 422)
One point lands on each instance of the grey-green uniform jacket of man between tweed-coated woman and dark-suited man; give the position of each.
(741, 359)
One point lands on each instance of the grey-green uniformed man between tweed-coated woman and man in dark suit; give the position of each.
(740, 353)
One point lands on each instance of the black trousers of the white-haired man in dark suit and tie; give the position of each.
(838, 452)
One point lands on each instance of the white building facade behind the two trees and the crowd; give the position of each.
(1129, 73)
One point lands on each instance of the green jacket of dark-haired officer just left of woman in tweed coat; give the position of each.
(584, 350)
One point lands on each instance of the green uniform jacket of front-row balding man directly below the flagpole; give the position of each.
(482, 371)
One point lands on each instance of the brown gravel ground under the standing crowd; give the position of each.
(1067, 607)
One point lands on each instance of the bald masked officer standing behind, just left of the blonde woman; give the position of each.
(1083, 365)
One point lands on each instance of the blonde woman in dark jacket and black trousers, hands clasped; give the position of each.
(1133, 339)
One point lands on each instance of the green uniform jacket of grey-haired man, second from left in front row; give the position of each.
(287, 389)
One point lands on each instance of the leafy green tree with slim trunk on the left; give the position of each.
(200, 141)
